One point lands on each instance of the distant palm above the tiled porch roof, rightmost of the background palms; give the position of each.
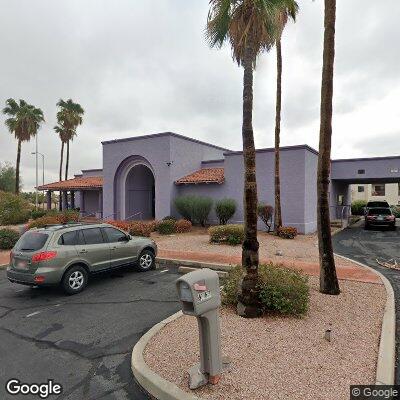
(70, 117)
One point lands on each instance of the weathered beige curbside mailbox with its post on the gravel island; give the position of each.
(199, 294)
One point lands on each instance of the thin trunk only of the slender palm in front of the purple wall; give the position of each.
(278, 211)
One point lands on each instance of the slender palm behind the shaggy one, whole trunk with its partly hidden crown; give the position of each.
(289, 10)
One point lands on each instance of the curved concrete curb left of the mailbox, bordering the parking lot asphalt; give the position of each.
(154, 384)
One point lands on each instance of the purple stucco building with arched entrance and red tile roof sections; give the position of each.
(141, 177)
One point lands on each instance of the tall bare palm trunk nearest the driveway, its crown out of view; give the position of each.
(328, 280)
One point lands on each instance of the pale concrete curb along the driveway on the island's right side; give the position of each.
(387, 347)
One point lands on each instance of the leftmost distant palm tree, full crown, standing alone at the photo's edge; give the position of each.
(24, 122)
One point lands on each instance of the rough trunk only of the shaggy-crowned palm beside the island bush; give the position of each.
(249, 305)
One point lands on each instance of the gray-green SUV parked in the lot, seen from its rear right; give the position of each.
(68, 254)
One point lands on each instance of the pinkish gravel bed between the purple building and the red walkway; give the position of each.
(302, 248)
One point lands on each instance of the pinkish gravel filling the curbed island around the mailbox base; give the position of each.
(284, 358)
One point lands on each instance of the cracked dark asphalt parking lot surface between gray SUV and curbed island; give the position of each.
(82, 342)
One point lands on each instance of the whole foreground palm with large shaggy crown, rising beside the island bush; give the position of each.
(250, 26)
